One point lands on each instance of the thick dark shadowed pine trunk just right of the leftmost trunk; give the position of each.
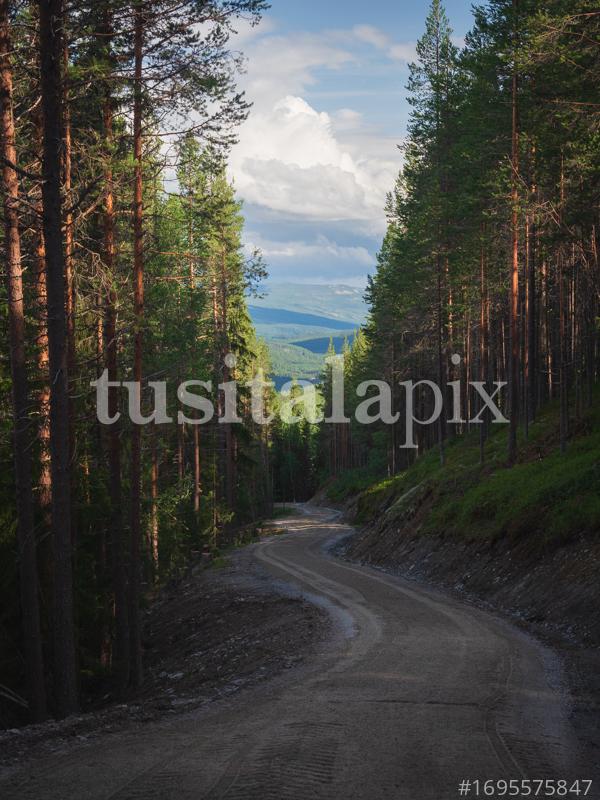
(65, 673)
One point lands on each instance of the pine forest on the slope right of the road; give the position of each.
(491, 252)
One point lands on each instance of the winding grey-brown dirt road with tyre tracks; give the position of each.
(412, 693)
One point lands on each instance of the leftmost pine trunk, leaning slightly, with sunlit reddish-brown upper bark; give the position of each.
(28, 577)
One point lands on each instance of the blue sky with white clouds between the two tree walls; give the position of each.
(319, 150)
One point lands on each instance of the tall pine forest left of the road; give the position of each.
(122, 253)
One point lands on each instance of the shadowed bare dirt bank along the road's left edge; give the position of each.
(205, 638)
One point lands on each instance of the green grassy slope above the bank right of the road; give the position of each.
(547, 495)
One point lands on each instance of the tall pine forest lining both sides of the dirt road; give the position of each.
(123, 254)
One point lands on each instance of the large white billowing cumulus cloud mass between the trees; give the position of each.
(322, 166)
